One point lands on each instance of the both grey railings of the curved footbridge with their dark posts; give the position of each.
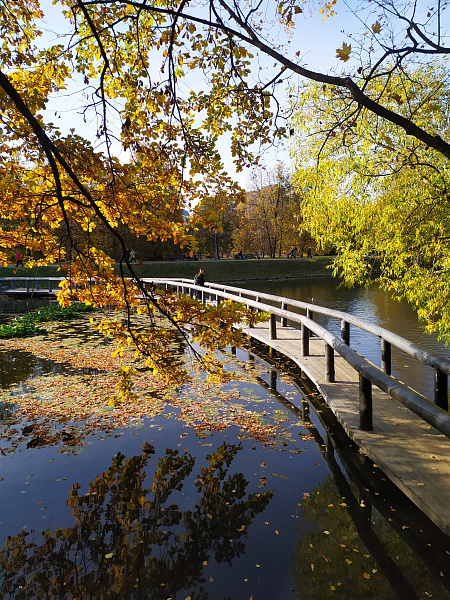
(433, 412)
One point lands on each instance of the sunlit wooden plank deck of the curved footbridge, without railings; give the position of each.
(414, 455)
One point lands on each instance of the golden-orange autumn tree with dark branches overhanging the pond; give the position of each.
(164, 82)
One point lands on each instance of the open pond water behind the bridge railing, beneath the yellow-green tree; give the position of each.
(375, 306)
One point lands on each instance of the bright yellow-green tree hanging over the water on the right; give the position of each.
(380, 196)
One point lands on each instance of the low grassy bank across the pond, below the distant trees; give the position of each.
(215, 270)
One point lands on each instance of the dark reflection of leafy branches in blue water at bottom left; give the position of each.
(132, 540)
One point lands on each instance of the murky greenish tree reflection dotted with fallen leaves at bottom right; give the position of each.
(333, 562)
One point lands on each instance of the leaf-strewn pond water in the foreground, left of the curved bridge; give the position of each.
(200, 492)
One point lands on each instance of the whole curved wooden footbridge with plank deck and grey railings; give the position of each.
(403, 432)
